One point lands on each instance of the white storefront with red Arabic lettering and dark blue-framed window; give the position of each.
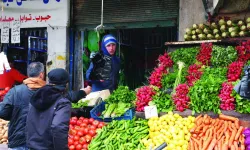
(35, 31)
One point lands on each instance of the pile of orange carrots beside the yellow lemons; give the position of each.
(223, 133)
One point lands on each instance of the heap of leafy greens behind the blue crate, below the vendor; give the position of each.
(122, 94)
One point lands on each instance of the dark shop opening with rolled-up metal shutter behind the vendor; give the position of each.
(141, 28)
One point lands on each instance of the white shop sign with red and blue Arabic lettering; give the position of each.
(42, 13)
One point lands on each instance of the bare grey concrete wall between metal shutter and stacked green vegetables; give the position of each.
(190, 12)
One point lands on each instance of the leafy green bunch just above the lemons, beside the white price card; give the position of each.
(163, 102)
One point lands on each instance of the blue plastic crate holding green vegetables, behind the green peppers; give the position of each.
(97, 111)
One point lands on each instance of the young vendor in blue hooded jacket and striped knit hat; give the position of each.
(104, 69)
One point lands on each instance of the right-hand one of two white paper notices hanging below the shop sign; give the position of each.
(15, 32)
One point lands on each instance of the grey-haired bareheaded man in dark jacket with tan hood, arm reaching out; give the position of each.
(16, 104)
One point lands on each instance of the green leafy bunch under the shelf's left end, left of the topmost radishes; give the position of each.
(185, 55)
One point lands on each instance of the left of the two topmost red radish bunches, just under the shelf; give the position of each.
(205, 53)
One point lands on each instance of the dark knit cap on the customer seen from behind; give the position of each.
(58, 76)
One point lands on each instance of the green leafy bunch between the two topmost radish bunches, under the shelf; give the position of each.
(222, 57)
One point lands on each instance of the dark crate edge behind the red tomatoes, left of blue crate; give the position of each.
(81, 112)
